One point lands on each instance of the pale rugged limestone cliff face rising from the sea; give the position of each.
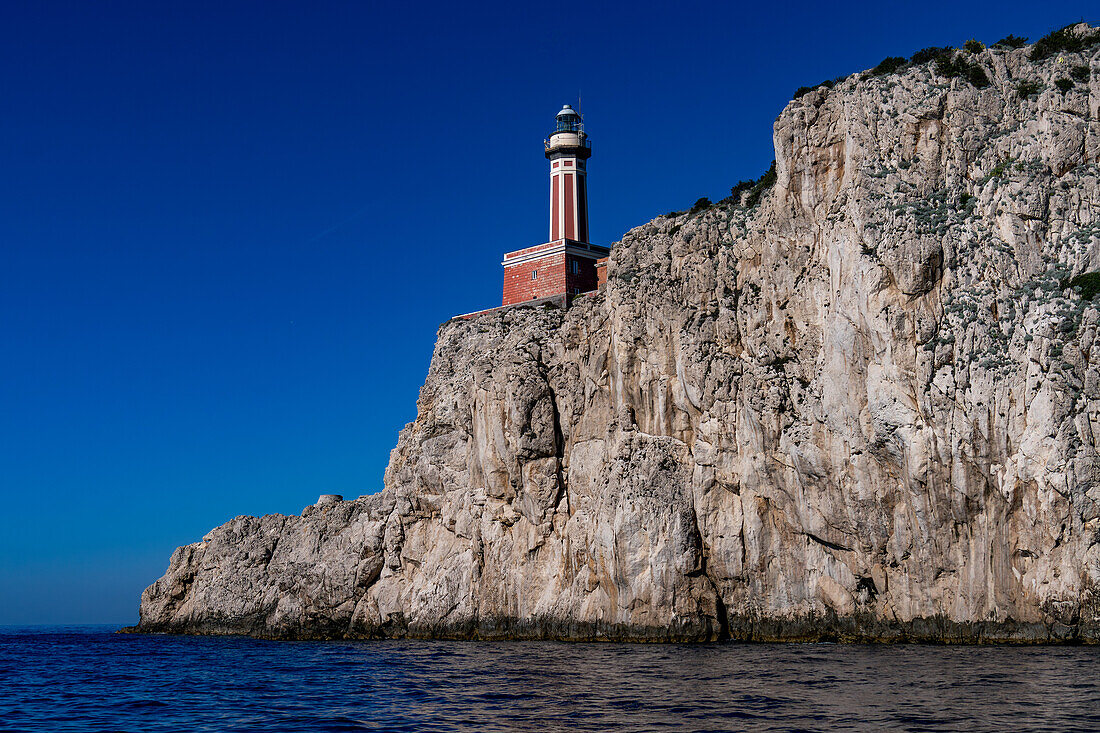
(865, 408)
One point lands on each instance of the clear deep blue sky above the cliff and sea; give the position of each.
(230, 231)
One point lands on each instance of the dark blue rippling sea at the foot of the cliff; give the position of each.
(90, 679)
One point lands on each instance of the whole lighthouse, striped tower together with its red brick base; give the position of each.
(566, 266)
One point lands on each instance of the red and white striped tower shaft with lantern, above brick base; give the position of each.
(568, 149)
